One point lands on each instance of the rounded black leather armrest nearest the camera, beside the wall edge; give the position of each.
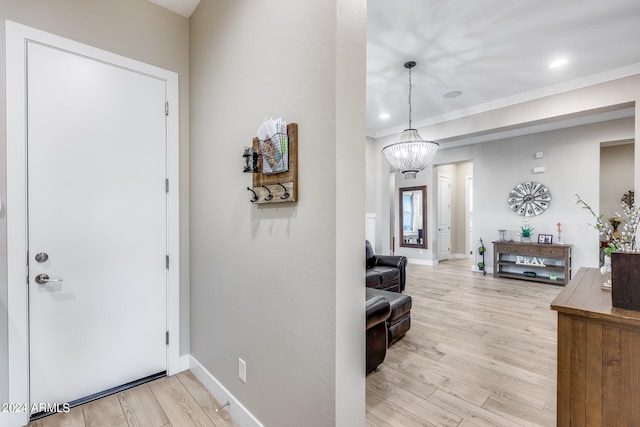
(378, 310)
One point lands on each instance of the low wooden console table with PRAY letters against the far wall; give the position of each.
(550, 263)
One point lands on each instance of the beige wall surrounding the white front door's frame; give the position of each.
(134, 28)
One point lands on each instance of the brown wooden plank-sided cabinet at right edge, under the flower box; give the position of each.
(598, 356)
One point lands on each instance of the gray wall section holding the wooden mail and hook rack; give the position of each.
(280, 286)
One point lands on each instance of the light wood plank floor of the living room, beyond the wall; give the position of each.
(481, 352)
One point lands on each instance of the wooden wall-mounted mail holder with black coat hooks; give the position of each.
(280, 183)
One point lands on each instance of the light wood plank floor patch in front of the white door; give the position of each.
(176, 401)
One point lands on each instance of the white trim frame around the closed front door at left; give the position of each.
(17, 36)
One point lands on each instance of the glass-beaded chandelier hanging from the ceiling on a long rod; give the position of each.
(411, 153)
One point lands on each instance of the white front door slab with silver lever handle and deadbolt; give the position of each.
(97, 225)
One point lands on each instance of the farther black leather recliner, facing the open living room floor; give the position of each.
(386, 272)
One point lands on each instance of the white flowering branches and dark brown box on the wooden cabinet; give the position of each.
(622, 248)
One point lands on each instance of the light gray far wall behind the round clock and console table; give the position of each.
(572, 162)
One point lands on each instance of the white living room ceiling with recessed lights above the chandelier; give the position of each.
(495, 51)
